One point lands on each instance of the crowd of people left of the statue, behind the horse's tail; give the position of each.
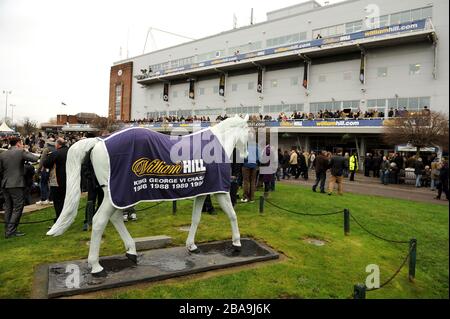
(37, 164)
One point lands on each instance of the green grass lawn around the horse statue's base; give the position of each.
(308, 271)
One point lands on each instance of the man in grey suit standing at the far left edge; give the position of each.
(13, 183)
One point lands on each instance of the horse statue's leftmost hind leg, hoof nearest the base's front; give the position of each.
(99, 222)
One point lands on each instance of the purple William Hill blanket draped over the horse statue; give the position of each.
(147, 166)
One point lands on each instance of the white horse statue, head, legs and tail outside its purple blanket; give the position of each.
(229, 133)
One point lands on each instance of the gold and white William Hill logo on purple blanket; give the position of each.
(145, 166)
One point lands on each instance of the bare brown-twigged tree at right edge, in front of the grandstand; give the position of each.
(419, 129)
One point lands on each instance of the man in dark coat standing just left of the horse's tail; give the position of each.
(57, 160)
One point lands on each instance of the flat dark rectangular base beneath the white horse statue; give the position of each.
(74, 278)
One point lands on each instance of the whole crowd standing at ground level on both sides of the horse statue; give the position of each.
(37, 164)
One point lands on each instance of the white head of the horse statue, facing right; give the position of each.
(233, 133)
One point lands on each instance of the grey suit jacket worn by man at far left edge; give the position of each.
(12, 167)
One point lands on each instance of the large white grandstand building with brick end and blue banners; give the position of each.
(367, 55)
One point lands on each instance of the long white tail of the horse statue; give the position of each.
(75, 157)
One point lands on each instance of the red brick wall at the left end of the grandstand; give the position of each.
(125, 80)
